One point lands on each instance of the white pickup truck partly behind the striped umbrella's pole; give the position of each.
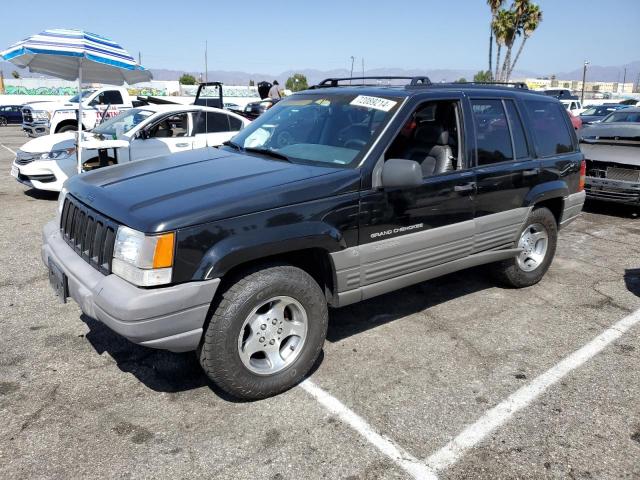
(42, 118)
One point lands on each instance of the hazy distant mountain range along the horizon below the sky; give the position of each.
(594, 73)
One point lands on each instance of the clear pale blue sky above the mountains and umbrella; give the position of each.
(279, 35)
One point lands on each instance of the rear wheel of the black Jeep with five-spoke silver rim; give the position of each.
(538, 239)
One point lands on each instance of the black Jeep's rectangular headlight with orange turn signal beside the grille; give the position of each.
(144, 260)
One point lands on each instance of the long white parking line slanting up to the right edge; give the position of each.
(501, 413)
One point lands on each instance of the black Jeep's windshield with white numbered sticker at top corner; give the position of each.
(331, 128)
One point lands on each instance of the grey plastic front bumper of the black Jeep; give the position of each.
(168, 318)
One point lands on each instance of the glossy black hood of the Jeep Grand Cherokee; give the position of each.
(191, 188)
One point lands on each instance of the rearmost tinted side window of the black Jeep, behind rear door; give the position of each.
(549, 126)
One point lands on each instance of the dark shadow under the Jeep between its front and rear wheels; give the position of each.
(357, 318)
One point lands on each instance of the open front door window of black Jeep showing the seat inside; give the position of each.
(431, 137)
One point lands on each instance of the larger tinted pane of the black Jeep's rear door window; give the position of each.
(492, 133)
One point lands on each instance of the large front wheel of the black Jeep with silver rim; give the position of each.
(266, 332)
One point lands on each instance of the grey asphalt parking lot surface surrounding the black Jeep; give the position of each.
(402, 375)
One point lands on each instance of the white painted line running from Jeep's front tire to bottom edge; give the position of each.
(400, 457)
